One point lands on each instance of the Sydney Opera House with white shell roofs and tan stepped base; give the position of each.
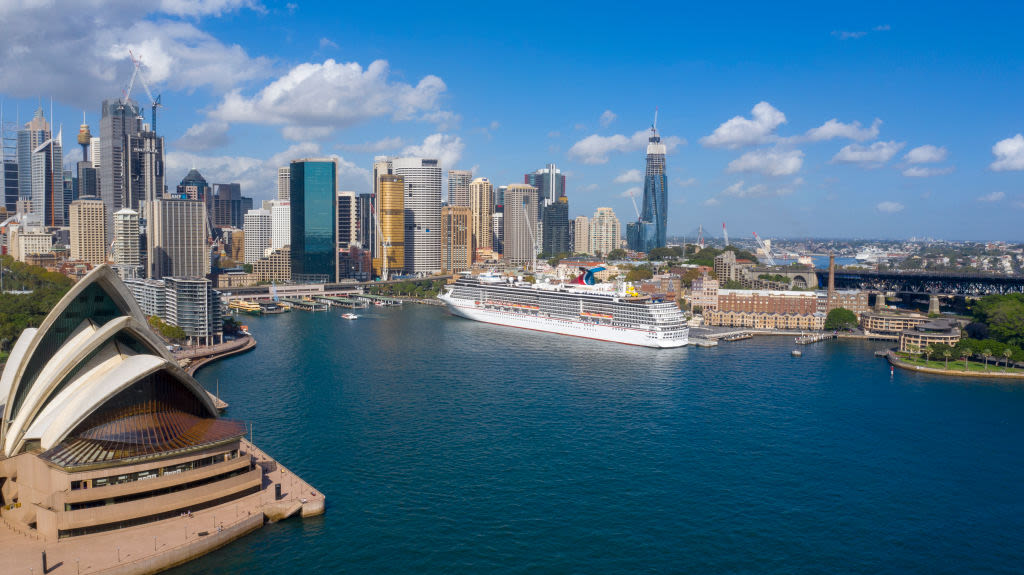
(103, 431)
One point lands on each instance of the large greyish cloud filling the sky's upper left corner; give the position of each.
(80, 56)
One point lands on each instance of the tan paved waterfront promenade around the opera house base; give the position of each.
(156, 547)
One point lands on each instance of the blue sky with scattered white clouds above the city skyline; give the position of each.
(876, 121)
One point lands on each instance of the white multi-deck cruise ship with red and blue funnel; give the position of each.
(581, 309)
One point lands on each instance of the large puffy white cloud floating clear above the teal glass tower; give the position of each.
(332, 96)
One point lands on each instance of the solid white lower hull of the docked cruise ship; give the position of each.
(635, 337)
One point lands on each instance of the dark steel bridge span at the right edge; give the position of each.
(949, 284)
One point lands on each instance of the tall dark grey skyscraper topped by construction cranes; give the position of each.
(119, 121)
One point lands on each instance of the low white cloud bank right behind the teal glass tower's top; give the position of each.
(259, 178)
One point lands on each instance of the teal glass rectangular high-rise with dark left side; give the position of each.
(315, 235)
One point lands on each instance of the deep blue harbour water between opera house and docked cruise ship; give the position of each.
(450, 447)
